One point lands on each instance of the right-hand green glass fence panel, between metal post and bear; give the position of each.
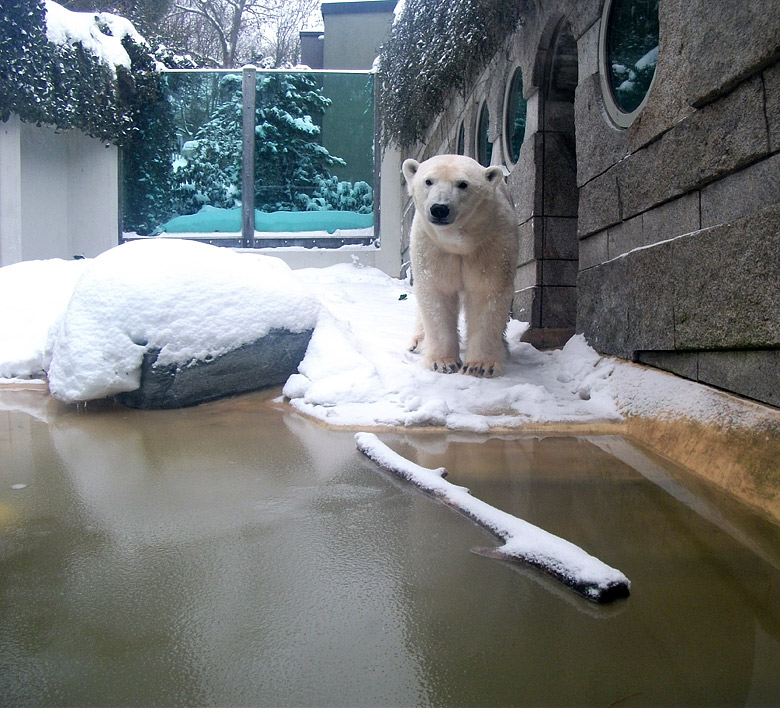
(314, 155)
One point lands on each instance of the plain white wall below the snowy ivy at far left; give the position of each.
(58, 193)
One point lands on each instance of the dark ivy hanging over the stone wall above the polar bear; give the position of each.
(435, 48)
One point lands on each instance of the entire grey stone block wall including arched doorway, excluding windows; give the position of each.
(661, 241)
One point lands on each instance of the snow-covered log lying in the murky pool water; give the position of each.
(523, 541)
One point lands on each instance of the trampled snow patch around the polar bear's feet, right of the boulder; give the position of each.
(358, 369)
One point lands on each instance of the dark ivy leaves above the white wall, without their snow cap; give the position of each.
(66, 86)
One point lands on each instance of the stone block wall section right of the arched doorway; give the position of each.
(678, 223)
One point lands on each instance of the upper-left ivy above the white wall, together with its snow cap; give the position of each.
(56, 80)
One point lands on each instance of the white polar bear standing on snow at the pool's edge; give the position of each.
(464, 245)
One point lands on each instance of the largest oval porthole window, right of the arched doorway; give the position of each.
(628, 50)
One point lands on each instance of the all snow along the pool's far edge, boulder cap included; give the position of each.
(357, 371)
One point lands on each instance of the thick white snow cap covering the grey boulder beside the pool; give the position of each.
(189, 300)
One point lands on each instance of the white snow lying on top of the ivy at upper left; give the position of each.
(100, 33)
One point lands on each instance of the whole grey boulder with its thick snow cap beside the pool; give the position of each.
(163, 324)
